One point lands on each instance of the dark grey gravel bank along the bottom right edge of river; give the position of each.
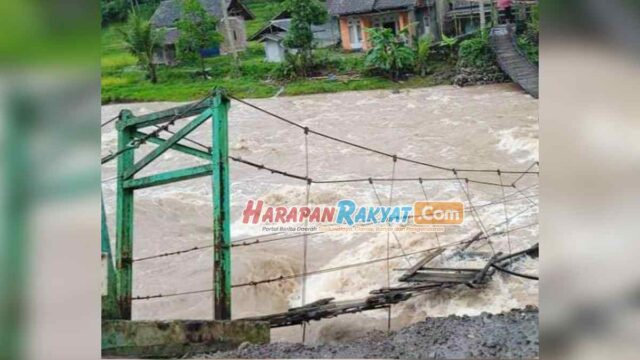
(513, 334)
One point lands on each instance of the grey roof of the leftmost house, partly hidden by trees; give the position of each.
(168, 12)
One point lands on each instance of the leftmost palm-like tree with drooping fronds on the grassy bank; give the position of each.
(141, 40)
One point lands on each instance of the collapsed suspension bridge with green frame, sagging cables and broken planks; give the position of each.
(419, 277)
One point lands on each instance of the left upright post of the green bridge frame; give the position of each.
(124, 221)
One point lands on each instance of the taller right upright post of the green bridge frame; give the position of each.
(221, 210)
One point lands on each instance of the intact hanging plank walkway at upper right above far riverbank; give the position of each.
(512, 61)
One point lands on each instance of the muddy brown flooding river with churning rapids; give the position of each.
(488, 127)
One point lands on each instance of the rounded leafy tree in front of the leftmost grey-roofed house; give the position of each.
(197, 32)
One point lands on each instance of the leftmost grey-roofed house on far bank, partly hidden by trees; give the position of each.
(169, 12)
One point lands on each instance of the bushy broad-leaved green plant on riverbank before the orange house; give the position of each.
(389, 53)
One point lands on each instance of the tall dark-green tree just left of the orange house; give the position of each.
(304, 14)
